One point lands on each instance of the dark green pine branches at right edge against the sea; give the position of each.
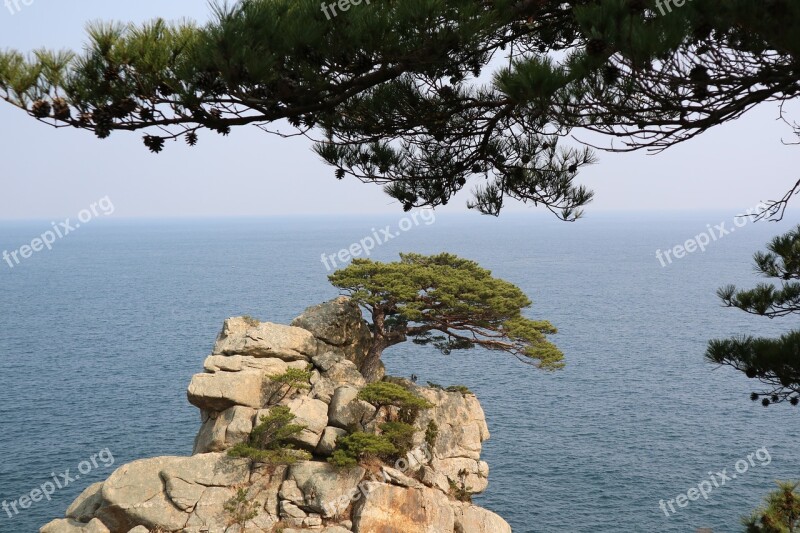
(774, 362)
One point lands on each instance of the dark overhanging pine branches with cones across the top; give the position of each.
(391, 89)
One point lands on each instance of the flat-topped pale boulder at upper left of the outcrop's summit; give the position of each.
(239, 336)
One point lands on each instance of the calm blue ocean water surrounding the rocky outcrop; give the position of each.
(101, 335)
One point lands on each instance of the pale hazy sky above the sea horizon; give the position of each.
(47, 173)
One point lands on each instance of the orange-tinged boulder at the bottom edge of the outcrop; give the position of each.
(389, 508)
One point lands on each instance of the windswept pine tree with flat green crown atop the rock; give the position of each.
(445, 301)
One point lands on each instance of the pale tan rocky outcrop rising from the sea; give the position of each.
(426, 490)
